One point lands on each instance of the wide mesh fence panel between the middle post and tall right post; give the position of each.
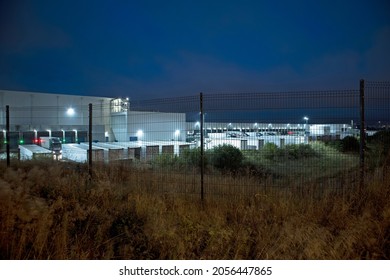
(288, 141)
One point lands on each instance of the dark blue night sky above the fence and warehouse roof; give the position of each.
(147, 49)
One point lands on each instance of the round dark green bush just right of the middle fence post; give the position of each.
(226, 158)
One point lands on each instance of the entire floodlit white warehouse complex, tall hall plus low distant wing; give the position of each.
(118, 132)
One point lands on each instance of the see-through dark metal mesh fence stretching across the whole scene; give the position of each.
(253, 143)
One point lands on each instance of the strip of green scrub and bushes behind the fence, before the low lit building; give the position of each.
(271, 160)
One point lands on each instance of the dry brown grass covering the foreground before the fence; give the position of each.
(48, 211)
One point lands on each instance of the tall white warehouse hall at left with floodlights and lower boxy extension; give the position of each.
(34, 115)
